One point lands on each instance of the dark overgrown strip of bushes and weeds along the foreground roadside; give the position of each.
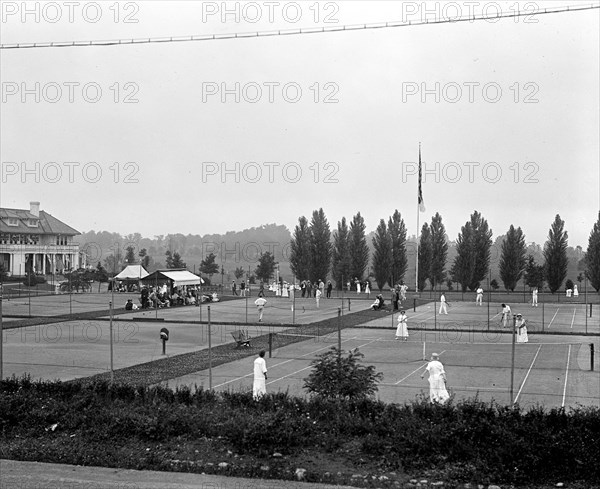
(195, 430)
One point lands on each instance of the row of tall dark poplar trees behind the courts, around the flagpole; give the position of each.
(315, 252)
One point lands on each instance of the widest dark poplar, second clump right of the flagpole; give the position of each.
(473, 248)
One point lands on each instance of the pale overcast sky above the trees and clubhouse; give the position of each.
(213, 136)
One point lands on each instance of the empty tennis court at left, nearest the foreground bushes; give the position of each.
(74, 349)
